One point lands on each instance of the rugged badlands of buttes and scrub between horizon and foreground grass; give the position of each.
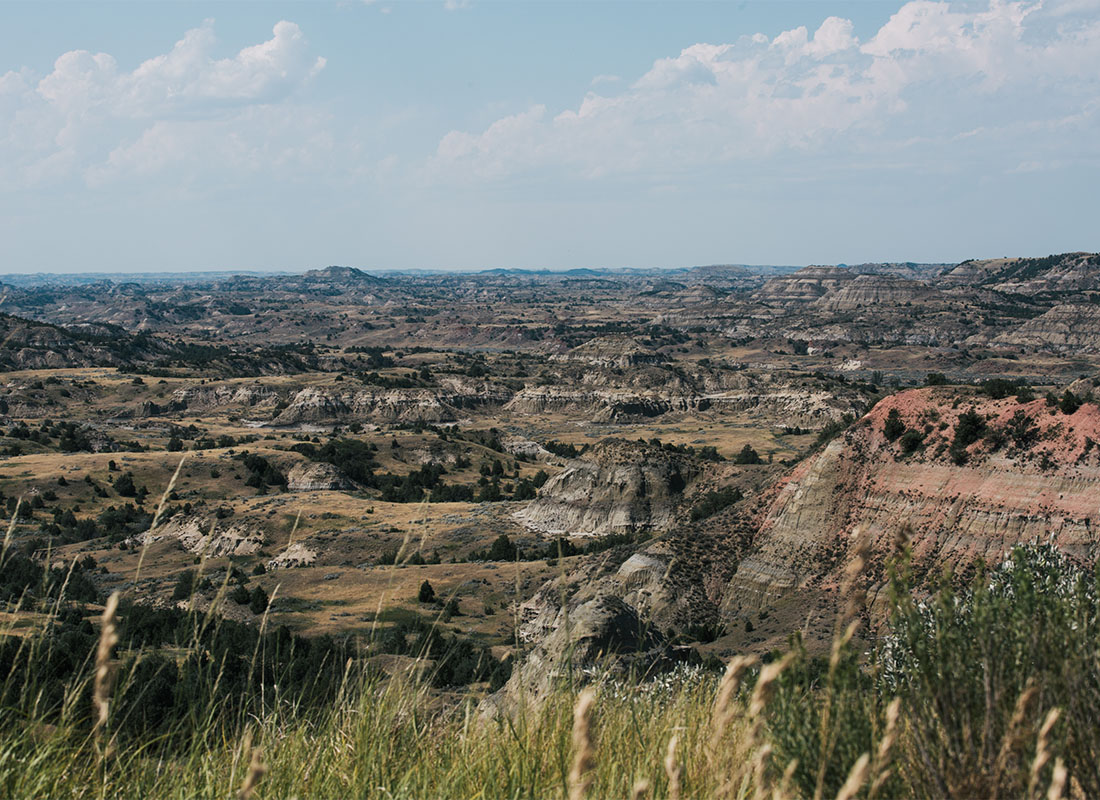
(490, 484)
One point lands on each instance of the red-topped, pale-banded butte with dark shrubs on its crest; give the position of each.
(969, 479)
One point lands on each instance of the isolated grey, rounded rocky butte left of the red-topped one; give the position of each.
(619, 487)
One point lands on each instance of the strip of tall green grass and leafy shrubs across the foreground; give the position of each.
(989, 692)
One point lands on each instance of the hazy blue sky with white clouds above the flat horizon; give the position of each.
(474, 135)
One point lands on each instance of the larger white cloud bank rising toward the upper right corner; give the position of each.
(934, 76)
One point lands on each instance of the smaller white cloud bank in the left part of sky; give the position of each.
(94, 122)
